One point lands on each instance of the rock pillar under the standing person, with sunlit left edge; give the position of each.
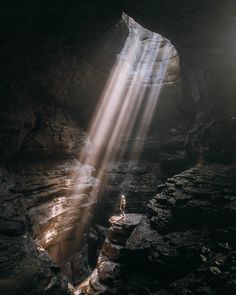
(105, 278)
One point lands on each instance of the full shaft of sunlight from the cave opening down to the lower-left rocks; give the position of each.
(125, 109)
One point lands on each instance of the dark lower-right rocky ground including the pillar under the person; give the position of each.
(185, 245)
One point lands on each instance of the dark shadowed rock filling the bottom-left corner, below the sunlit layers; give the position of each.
(25, 266)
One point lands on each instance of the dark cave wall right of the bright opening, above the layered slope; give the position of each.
(202, 33)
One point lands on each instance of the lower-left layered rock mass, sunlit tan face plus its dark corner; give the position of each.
(45, 206)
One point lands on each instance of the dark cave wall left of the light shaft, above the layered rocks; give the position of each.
(54, 67)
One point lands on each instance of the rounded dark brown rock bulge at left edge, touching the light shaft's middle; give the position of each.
(47, 133)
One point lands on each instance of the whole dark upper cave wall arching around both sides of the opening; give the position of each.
(42, 43)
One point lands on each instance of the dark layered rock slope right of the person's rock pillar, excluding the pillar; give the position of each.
(189, 239)
